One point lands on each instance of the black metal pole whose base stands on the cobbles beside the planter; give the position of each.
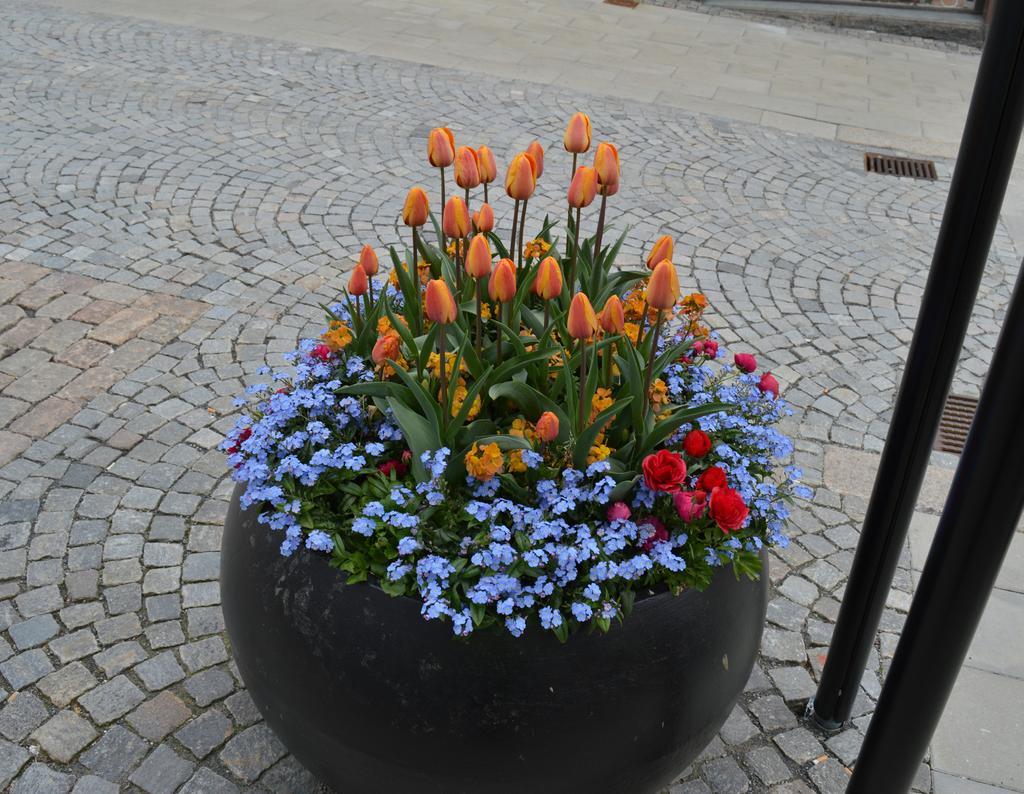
(987, 156)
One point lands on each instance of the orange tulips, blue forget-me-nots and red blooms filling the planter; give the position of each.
(471, 431)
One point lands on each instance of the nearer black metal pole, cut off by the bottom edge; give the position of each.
(977, 526)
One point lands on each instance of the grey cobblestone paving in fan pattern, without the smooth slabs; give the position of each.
(175, 206)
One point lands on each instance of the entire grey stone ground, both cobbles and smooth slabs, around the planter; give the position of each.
(176, 201)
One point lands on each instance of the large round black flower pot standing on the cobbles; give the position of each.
(373, 698)
